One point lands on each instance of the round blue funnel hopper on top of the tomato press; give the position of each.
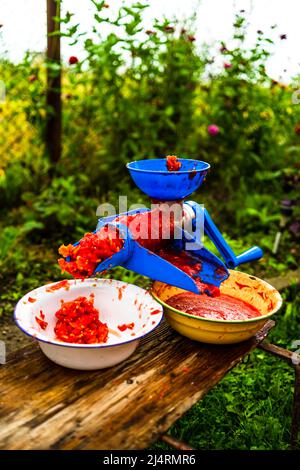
(153, 178)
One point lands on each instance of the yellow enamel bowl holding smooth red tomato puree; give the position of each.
(251, 289)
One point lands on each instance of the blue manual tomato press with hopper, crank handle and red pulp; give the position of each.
(158, 244)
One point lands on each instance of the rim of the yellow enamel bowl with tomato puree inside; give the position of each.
(212, 320)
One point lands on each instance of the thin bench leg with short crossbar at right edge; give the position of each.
(294, 360)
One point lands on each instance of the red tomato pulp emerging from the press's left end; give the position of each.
(91, 250)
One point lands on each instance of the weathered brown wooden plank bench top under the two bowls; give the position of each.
(44, 406)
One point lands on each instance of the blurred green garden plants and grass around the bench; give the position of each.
(139, 94)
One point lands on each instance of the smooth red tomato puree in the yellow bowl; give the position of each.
(223, 307)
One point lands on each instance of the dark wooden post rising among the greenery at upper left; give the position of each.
(53, 124)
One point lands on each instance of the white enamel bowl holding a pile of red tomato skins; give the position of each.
(119, 303)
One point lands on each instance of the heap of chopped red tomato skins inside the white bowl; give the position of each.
(78, 322)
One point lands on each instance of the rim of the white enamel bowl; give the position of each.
(86, 346)
